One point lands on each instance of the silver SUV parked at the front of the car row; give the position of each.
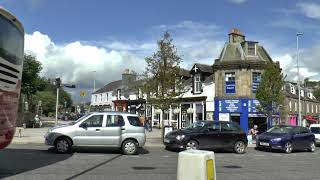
(109, 129)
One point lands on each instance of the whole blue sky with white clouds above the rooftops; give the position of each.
(75, 37)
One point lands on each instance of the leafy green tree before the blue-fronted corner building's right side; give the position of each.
(270, 93)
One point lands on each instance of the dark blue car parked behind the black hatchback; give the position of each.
(287, 138)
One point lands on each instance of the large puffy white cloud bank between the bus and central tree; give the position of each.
(75, 62)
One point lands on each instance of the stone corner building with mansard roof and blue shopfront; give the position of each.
(237, 77)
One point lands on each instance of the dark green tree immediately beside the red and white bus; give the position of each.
(30, 78)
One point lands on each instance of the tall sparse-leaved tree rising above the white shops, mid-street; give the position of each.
(162, 82)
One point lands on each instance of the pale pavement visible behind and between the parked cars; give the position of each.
(36, 135)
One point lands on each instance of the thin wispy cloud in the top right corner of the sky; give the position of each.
(311, 10)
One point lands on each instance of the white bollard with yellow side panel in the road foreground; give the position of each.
(196, 165)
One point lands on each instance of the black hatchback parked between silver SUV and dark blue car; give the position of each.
(208, 135)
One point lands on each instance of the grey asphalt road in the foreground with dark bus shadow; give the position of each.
(37, 162)
